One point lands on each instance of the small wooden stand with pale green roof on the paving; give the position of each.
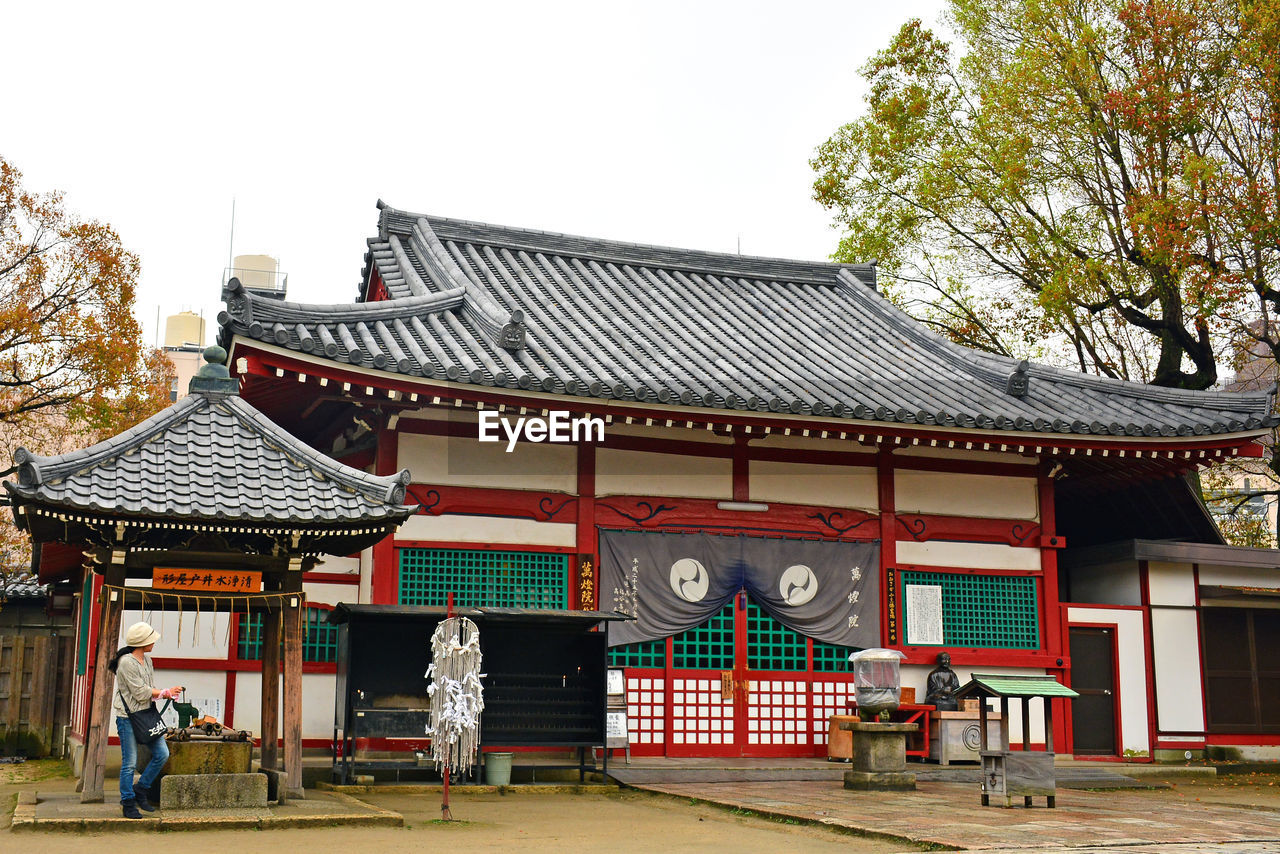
(1028, 774)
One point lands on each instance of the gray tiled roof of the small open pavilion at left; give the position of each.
(211, 458)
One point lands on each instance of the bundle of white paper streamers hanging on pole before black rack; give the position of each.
(456, 695)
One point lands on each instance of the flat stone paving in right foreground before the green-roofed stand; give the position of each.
(950, 815)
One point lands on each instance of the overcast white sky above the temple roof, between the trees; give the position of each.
(675, 124)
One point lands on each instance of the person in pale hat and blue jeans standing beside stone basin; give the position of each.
(134, 693)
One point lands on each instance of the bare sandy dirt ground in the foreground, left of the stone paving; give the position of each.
(629, 823)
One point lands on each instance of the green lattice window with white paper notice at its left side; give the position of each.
(996, 611)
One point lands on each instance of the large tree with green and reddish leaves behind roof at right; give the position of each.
(1089, 182)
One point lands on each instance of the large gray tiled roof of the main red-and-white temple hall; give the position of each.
(614, 321)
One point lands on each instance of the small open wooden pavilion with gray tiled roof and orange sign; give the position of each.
(204, 520)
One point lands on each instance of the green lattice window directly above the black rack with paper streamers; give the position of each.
(484, 579)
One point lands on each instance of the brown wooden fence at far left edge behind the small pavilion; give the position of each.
(35, 693)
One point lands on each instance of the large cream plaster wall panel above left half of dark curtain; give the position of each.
(641, 473)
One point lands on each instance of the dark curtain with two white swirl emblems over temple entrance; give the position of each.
(671, 583)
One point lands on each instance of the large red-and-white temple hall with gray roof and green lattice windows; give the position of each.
(785, 468)
